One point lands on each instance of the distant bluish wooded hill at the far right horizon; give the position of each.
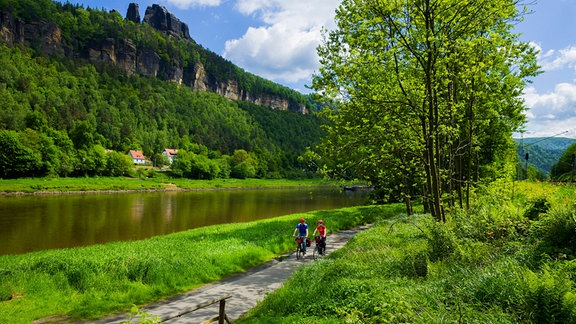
(543, 152)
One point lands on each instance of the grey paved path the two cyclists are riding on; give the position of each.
(246, 289)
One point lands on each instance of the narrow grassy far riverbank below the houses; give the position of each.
(55, 186)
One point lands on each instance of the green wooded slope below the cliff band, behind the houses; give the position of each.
(133, 116)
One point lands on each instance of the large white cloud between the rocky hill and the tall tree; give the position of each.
(283, 49)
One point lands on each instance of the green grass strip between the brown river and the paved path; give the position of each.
(91, 282)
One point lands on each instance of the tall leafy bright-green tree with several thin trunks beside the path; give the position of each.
(428, 93)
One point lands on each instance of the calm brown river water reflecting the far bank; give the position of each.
(33, 223)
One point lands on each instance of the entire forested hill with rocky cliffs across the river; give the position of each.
(73, 106)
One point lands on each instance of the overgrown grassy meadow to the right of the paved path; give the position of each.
(511, 259)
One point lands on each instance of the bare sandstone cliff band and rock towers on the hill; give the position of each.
(128, 57)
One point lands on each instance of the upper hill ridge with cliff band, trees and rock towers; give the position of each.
(157, 45)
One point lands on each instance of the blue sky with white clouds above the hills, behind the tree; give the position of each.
(277, 40)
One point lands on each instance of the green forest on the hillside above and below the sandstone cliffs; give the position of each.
(100, 105)
